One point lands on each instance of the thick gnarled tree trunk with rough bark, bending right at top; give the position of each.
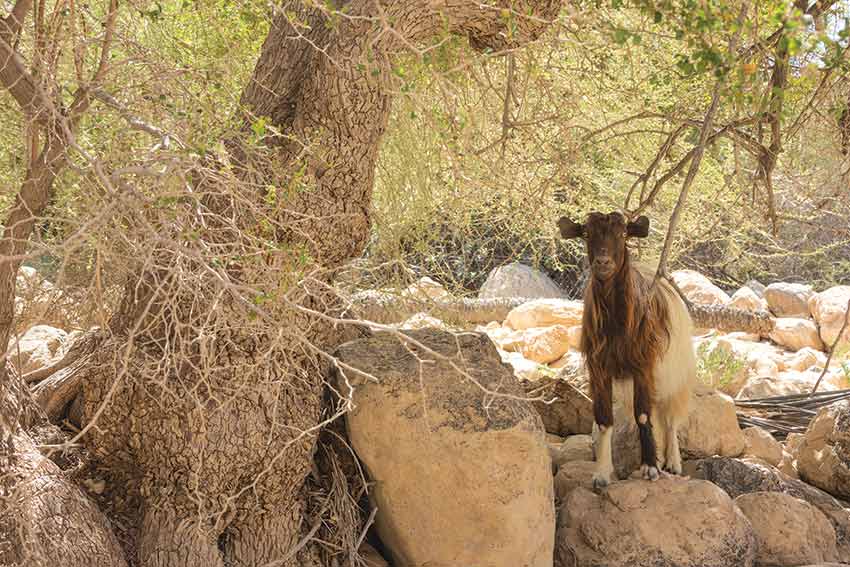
(207, 404)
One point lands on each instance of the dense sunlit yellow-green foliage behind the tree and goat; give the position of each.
(485, 150)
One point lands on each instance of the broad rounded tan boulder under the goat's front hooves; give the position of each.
(671, 522)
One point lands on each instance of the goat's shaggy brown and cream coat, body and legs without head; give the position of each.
(634, 330)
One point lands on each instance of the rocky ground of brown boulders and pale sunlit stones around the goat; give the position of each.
(480, 463)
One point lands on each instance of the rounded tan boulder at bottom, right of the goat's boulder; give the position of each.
(789, 531)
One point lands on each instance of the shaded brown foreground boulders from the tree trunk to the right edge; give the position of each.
(462, 475)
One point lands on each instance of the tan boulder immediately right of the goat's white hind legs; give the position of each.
(712, 427)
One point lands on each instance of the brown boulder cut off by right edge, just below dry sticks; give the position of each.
(823, 454)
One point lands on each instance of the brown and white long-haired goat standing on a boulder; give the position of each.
(633, 330)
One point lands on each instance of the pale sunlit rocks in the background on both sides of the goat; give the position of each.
(542, 337)
